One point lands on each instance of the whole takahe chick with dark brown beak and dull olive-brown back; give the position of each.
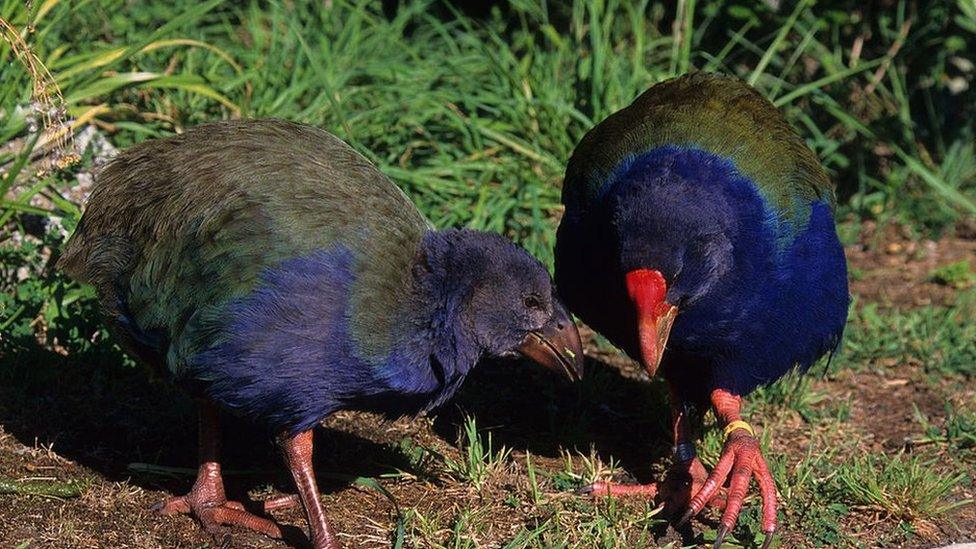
(275, 273)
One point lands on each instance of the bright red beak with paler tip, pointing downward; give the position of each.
(647, 290)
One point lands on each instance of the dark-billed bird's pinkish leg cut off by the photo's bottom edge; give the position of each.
(297, 450)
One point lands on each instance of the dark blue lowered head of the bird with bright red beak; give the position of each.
(674, 239)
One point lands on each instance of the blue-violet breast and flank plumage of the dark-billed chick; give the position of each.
(283, 355)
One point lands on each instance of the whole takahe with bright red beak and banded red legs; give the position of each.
(699, 237)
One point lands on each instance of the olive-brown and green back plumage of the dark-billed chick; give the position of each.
(177, 225)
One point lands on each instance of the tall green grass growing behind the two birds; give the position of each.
(475, 118)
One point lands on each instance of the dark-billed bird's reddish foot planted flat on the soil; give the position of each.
(206, 502)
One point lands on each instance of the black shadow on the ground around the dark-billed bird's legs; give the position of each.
(105, 415)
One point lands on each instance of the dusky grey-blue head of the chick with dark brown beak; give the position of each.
(502, 299)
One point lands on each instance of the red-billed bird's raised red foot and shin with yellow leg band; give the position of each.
(741, 460)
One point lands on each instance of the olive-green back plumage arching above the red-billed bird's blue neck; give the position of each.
(719, 114)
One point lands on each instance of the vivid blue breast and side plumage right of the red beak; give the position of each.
(774, 316)
